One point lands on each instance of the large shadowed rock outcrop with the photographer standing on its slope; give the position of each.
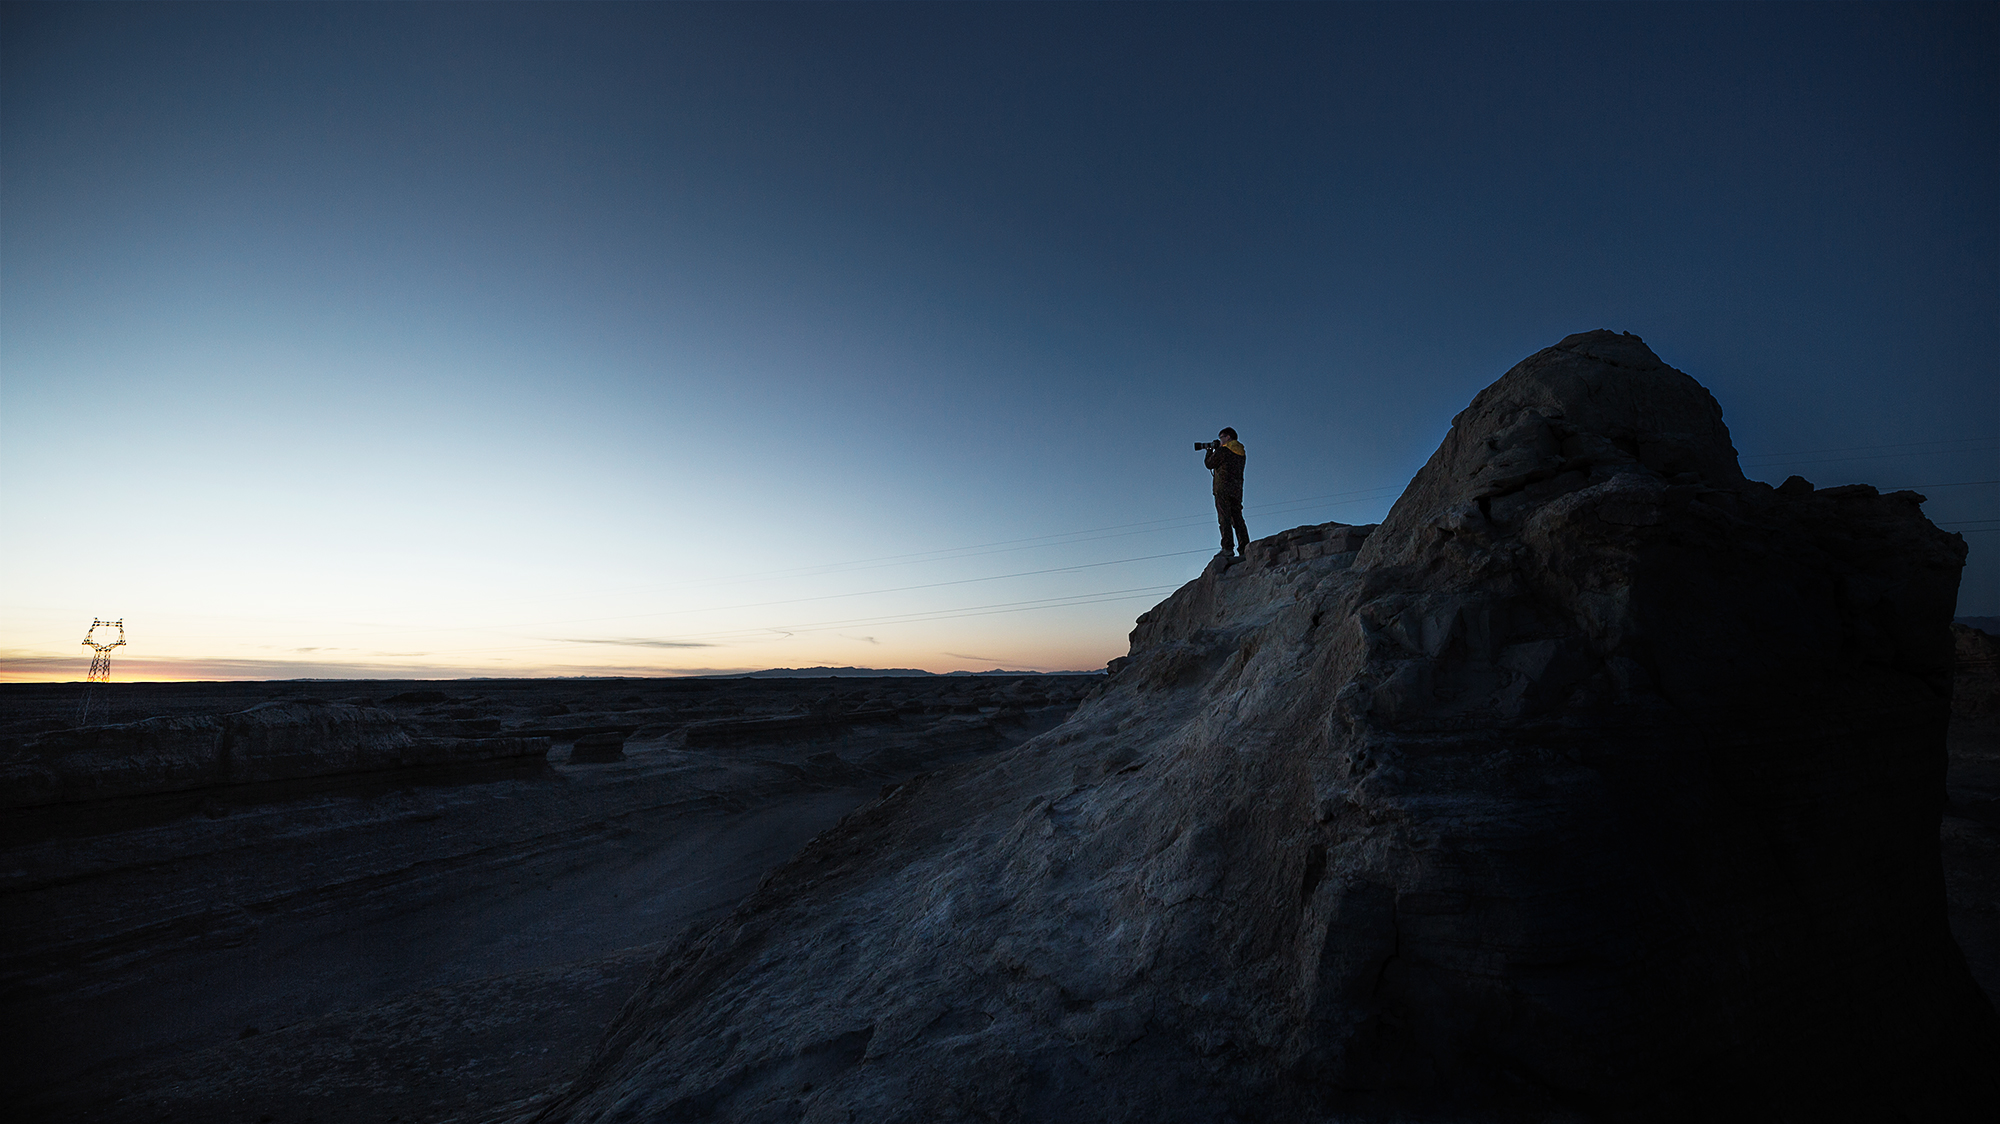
(1599, 783)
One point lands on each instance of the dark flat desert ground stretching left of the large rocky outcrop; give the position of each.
(427, 947)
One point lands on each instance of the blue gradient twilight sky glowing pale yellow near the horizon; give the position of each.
(465, 339)
